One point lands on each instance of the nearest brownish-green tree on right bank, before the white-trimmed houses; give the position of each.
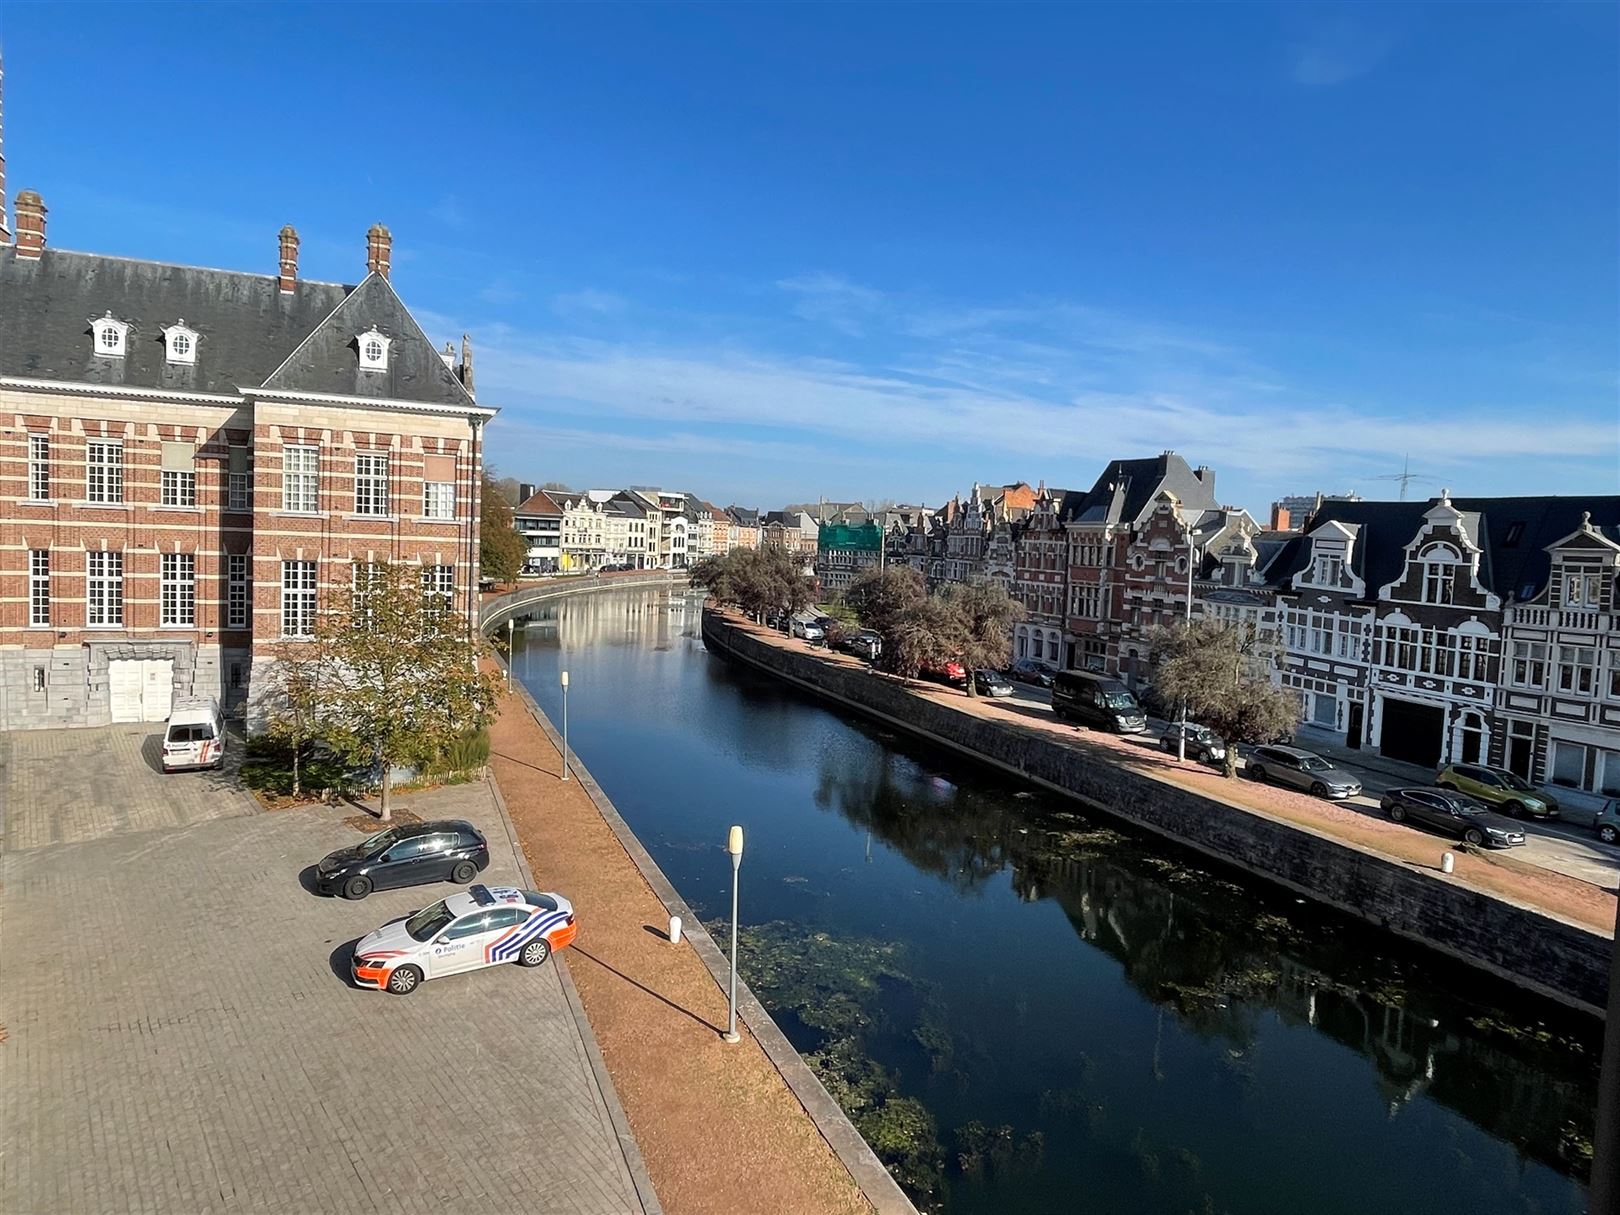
(1224, 673)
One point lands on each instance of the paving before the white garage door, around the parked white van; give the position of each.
(67, 787)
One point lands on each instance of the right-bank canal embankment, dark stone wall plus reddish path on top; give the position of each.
(1470, 916)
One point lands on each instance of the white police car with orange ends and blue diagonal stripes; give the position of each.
(484, 927)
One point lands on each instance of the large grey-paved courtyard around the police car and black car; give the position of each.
(181, 1036)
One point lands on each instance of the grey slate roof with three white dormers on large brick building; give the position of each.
(250, 333)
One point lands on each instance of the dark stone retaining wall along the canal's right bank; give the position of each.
(1511, 940)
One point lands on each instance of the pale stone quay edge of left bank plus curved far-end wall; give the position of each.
(876, 1183)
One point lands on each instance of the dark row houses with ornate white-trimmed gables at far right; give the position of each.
(1462, 631)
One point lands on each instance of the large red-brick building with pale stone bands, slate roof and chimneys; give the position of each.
(190, 458)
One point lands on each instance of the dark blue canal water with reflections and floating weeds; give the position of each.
(1033, 1010)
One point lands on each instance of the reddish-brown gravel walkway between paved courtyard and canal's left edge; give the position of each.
(718, 1127)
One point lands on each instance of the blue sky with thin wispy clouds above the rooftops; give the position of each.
(772, 254)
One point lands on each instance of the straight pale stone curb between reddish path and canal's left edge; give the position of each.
(829, 1117)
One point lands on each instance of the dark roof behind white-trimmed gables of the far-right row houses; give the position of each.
(1514, 534)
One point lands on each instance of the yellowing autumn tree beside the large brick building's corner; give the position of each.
(401, 680)
